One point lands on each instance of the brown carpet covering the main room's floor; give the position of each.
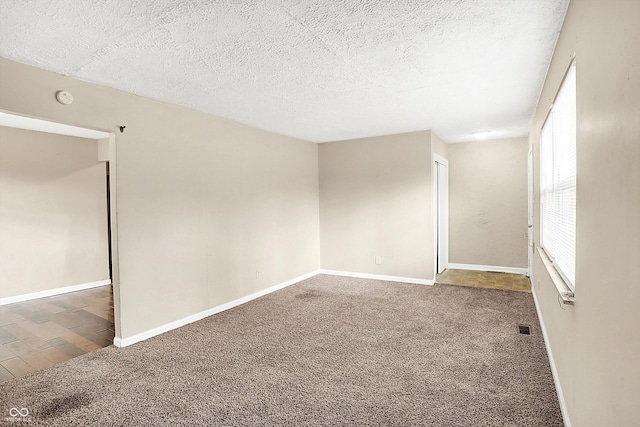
(327, 351)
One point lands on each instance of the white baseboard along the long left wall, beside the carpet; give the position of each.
(123, 342)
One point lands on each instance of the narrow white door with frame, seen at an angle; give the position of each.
(441, 202)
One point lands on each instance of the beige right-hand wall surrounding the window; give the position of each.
(596, 343)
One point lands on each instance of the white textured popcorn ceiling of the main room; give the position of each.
(319, 70)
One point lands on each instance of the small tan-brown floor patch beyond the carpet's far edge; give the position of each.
(485, 279)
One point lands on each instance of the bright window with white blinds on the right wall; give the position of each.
(558, 180)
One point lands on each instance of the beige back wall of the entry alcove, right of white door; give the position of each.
(488, 202)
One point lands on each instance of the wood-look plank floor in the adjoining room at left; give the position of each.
(39, 333)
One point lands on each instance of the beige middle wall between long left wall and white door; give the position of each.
(375, 200)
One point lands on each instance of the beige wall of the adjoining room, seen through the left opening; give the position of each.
(53, 212)
